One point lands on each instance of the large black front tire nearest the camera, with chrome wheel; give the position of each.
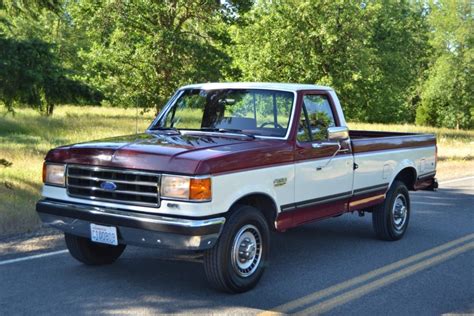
(224, 273)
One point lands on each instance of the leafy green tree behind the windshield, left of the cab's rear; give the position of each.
(141, 51)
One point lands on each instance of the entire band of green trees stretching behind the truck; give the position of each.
(401, 61)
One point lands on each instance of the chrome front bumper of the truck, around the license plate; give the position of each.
(132, 228)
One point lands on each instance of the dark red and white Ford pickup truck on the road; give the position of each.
(221, 166)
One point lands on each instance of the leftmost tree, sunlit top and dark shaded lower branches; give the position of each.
(34, 57)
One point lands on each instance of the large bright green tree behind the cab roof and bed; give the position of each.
(370, 53)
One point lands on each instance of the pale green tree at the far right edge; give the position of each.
(447, 92)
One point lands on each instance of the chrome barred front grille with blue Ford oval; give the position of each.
(131, 187)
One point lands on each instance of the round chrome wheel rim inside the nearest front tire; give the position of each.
(246, 250)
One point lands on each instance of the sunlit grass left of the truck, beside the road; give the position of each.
(25, 140)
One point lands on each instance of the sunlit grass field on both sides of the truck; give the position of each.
(26, 138)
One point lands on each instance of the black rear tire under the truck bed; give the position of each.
(387, 224)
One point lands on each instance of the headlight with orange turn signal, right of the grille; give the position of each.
(186, 188)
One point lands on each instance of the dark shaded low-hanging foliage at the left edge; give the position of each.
(30, 74)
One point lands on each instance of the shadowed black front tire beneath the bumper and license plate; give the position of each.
(91, 253)
